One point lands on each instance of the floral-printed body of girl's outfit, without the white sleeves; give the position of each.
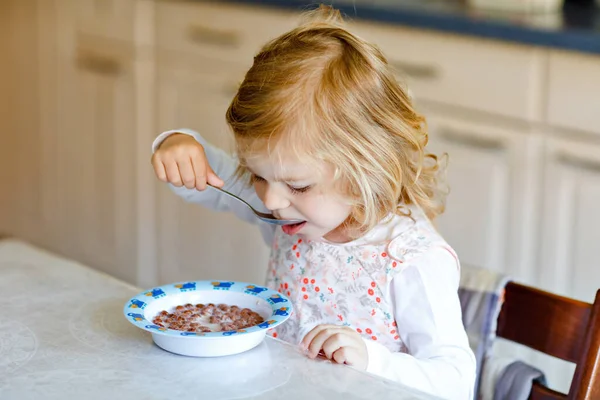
(346, 284)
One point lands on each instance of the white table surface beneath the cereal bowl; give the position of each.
(63, 336)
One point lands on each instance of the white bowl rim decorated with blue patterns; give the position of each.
(134, 309)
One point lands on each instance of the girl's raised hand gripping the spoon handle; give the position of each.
(181, 161)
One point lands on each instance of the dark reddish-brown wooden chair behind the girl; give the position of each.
(558, 326)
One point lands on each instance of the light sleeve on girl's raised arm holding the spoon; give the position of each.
(224, 166)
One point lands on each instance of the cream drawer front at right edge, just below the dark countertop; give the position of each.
(574, 91)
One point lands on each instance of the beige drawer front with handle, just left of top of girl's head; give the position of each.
(226, 32)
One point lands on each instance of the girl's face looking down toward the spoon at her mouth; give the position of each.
(295, 190)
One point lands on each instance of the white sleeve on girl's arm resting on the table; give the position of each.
(428, 315)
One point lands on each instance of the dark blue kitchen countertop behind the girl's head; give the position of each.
(576, 28)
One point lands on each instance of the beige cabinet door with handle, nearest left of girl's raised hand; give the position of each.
(89, 159)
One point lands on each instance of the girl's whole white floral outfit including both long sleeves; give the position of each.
(402, 297)
